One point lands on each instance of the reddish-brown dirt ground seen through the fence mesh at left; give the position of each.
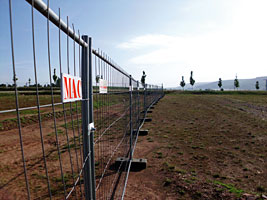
(69, 134)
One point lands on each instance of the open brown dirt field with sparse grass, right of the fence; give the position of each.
(203, 147)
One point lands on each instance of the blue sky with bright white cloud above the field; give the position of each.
(167, 39)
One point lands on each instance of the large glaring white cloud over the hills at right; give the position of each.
(240, 47)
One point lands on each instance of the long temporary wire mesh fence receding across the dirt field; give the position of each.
(68, 150)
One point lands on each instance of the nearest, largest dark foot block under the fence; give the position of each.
(138, 164)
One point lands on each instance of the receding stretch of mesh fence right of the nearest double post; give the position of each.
(119, 106)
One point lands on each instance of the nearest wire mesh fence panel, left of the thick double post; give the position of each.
(46, 131)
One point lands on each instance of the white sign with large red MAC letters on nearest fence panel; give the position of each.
(71, 88)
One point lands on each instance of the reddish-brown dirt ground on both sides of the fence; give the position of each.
(198, 147)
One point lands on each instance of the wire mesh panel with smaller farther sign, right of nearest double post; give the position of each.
(112, 123)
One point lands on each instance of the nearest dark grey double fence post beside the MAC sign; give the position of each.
(85, 121)
